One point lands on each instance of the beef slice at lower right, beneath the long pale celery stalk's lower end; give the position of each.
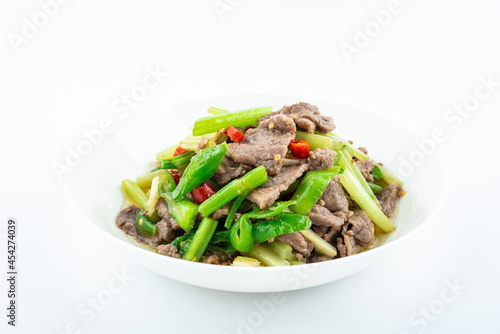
(357, 234)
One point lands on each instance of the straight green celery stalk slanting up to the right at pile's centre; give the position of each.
(249, 181)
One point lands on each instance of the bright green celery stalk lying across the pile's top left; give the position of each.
(240, 118)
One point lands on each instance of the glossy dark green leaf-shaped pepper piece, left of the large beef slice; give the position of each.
(202, 167)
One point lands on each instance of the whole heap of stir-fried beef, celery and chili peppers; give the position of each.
(261, 188)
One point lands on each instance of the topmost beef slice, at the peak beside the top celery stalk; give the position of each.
(306, 116)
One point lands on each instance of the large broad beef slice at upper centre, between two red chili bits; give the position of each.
(265, 145)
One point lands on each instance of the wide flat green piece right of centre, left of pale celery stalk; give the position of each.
(311, 188)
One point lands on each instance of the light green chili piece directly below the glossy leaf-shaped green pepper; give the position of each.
(183, 210)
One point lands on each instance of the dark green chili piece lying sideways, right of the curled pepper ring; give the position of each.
(286, 223)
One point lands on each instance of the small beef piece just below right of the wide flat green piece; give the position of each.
(326, 224)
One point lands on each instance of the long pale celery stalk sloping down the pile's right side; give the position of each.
(359, 195)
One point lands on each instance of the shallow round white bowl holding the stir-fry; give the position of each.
(129, 151)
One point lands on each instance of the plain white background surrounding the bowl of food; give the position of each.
(64, 79)
